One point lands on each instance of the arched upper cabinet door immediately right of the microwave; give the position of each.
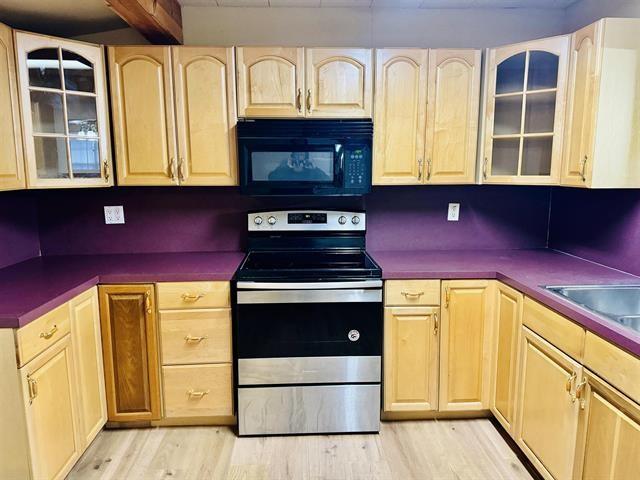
(401, 109)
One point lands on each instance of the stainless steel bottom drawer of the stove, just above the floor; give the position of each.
(308, 409)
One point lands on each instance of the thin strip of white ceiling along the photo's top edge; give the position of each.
(385, 3)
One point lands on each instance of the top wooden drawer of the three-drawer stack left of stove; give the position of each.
(193, 295)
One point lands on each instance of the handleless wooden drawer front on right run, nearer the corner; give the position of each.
(556, 329)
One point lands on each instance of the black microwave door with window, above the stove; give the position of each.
(291, 166)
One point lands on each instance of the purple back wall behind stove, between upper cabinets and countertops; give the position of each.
(213, 219)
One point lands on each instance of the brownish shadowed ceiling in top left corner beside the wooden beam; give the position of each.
(66, 18)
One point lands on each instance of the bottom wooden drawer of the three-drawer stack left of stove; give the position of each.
(198, 390)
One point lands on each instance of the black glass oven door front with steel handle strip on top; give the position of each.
(299, 322)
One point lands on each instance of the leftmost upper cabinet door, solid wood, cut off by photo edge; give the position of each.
(11, 158)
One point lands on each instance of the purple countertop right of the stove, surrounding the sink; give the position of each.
(524, 270)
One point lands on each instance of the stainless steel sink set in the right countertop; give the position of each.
(618, 303)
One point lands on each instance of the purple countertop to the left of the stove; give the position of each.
(33, 287)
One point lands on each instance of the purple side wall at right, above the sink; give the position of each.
(599, 225)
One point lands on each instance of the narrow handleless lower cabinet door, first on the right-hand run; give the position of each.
(508, 322)
